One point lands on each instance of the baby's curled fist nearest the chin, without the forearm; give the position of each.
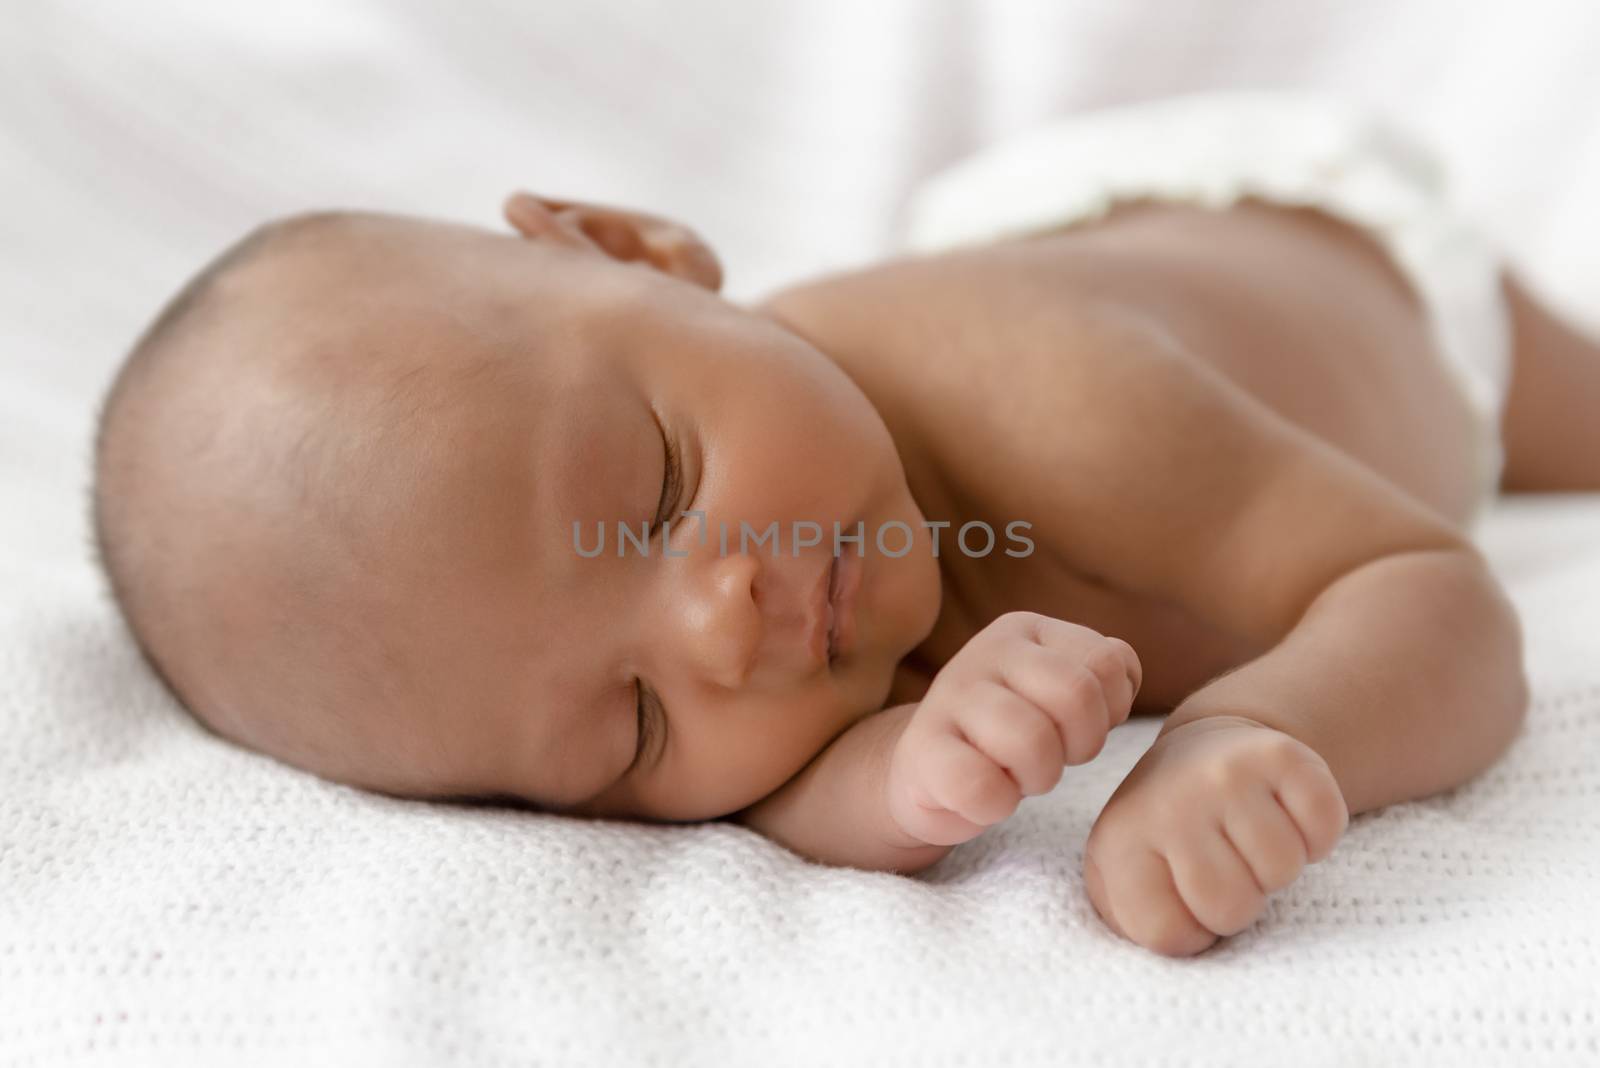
(1025, 698)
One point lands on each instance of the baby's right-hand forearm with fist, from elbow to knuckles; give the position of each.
(1402, 679)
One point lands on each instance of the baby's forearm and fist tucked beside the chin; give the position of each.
(1025, 698)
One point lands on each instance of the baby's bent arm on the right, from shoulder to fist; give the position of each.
(1391, 667)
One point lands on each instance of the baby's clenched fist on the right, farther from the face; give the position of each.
(1218, 815)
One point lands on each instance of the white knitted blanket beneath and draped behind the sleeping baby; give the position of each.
(167, 899)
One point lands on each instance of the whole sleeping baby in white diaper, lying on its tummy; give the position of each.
(1188, 408)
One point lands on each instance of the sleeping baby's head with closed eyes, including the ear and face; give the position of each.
(350, 487)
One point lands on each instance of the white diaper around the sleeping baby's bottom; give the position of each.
(1294, 148)
